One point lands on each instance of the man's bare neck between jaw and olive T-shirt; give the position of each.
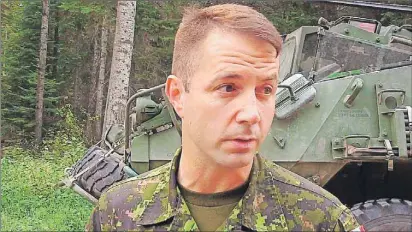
(197, 174)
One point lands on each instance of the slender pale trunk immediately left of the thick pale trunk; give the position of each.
(100, 82)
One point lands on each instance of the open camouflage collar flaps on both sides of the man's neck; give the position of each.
(259, 209)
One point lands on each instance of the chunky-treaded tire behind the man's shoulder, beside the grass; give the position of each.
(101, 176)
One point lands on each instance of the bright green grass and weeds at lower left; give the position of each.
(31, 200)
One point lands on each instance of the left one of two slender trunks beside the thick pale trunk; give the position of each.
(92, 93)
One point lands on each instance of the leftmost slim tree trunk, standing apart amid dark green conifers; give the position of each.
(41, 71)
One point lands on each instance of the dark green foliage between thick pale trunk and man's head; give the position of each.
(155, 30)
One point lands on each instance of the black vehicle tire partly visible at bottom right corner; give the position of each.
(384, 215)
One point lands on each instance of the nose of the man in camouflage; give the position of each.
(249, 111)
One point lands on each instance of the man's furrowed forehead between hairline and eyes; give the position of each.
(224, 51)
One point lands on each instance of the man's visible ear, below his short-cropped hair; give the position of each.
(175, 92)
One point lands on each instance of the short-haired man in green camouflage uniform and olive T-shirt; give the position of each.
(223, 86)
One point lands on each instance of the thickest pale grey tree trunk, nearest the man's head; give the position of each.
(117, 93)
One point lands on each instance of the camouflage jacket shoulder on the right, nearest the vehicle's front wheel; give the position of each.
(306, 204)
